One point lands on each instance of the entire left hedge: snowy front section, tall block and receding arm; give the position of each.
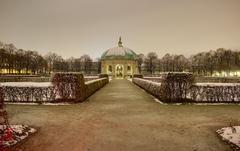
(64, 87)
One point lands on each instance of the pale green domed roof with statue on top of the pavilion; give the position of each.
(119, 52)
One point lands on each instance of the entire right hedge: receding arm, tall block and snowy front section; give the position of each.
(176, 88)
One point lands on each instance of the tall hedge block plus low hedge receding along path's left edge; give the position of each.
(71, 86)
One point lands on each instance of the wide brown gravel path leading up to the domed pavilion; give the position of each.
(122, 117)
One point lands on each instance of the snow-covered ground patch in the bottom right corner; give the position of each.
(231, 135)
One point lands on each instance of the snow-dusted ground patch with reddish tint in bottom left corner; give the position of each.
(20, 132)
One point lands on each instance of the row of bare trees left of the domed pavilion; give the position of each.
(19, 61)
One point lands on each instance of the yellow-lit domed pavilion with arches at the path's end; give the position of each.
(119, 62)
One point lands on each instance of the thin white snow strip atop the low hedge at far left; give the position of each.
(27, 84)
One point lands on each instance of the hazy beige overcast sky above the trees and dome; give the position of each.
(77, 27)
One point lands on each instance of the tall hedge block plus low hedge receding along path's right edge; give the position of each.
(173, 88)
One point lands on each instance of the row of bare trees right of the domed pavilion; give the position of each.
(204, 63)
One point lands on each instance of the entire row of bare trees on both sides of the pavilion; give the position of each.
(19, 61)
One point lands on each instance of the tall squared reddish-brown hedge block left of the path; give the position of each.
(68, 86)
